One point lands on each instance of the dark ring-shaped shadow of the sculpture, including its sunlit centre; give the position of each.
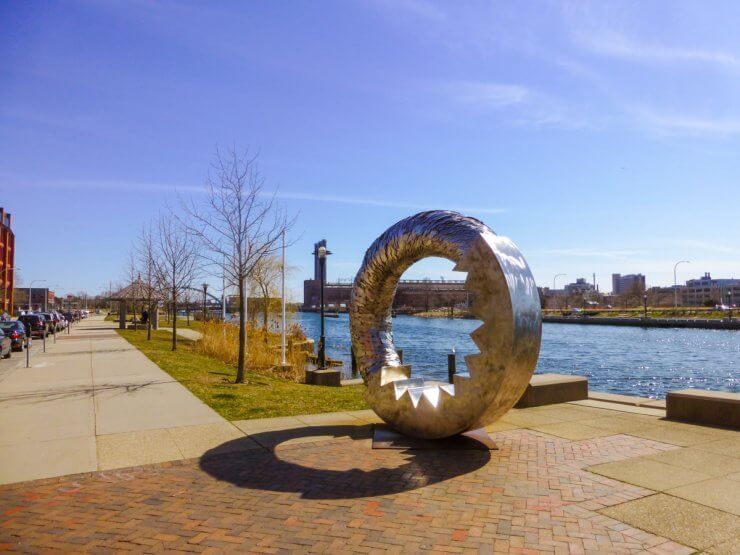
(342, 466)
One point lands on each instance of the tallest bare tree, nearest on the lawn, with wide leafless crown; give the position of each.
(238, 225)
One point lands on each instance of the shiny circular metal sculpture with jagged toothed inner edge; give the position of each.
(503, 295)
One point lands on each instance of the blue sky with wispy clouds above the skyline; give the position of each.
(601, 137)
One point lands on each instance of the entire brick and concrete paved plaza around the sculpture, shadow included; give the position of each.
(322, 488)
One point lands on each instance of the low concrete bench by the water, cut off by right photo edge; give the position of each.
(713, 408)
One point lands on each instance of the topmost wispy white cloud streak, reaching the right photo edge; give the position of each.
(619, 46)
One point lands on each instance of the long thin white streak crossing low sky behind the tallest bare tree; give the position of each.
(131, 186)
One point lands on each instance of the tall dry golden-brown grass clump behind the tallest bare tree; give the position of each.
(221, 341)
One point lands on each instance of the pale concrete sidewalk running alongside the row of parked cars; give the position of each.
(94, 402)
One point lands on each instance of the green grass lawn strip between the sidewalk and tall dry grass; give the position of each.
(262, 396)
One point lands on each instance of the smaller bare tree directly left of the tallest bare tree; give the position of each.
(175, 263)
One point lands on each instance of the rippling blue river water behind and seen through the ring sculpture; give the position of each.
(633, 361)
